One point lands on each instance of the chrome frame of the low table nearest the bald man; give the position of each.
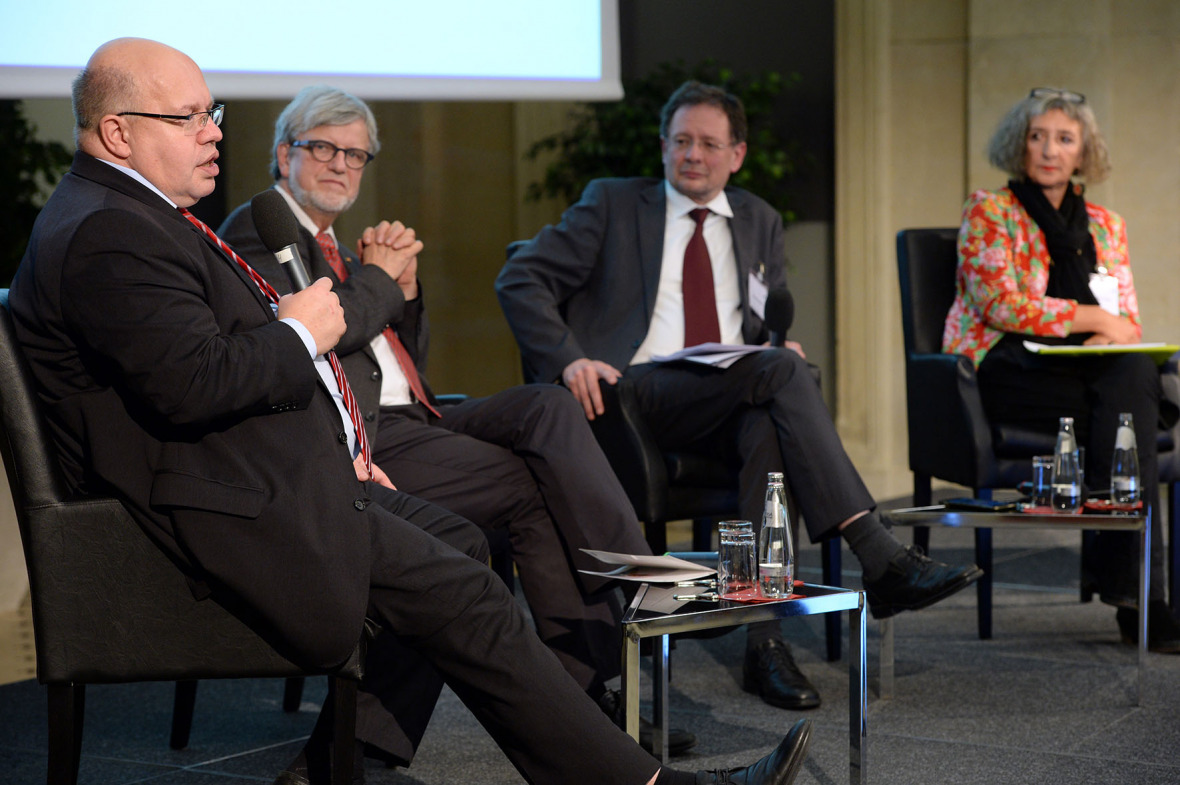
(641, 622)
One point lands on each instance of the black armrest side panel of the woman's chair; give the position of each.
(949, 433)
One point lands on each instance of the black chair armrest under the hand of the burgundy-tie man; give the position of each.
(633, 452)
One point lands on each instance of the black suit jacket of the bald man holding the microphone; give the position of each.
(168, 383)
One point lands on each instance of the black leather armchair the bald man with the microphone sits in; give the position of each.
(108, 605)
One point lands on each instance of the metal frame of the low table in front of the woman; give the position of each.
(982, 522)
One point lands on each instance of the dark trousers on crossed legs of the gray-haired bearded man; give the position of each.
(525, 460)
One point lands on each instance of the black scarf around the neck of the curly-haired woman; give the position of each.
(1067, 235)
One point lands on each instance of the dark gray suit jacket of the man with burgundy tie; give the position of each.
(587, 287)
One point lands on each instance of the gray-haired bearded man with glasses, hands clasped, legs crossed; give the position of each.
(523, 460)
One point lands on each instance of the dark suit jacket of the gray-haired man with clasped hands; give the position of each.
(371, 300)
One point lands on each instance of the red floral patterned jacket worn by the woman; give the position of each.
(1004, 272)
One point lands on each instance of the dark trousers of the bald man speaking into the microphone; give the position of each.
(450, 611)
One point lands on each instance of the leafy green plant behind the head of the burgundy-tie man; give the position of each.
(619, 139)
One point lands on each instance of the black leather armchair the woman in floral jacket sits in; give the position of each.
(950, 436)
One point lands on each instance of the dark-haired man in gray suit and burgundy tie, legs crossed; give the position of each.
(641, 269)
